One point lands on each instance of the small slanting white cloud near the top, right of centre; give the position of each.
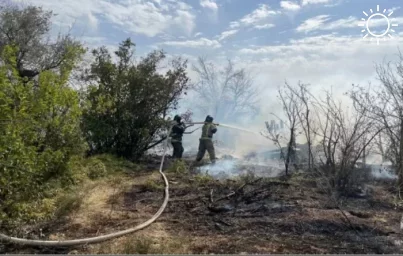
(257, 17)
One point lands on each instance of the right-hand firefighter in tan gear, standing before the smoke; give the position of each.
(206, 140)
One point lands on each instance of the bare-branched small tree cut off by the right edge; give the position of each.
(384, 105)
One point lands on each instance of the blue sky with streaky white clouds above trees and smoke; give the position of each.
(317, 42)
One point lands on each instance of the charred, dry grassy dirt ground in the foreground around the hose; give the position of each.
(246, 215)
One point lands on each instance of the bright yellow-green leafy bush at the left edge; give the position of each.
(39, 133)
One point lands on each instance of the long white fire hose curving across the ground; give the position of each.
(102, 238)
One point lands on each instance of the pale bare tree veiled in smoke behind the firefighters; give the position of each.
(227, 93)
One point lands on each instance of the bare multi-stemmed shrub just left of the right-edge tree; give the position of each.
(344, 137)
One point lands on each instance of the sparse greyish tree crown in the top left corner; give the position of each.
(28, 30)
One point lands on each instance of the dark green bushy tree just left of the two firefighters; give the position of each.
(128, 102)
